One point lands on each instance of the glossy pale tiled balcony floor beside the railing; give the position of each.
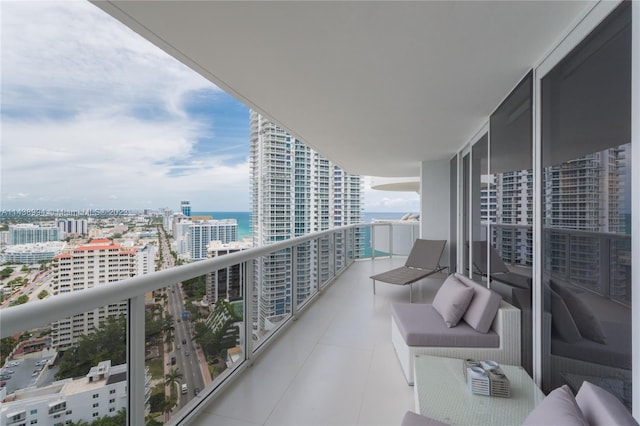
(334, 366)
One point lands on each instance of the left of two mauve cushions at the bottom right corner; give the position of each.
(558, 408)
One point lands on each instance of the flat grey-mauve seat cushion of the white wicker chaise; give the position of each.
(421, 325)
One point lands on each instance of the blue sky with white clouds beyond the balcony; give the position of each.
(93, 116)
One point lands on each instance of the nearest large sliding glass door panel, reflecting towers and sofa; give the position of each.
(586, 212)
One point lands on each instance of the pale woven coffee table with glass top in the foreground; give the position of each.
(441, 393)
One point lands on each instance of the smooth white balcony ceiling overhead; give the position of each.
(377, 87)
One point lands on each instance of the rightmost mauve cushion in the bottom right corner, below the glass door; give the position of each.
(600, 407)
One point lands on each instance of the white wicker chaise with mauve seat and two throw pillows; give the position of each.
(465, 320)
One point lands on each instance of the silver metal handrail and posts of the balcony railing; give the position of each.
(36, 314)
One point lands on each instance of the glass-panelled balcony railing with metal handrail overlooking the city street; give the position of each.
(188, 329)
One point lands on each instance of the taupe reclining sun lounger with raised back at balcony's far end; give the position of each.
(423, 260)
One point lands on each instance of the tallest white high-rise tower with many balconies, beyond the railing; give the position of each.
(295, 191)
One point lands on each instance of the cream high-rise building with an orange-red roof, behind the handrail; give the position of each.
(98, 263)
